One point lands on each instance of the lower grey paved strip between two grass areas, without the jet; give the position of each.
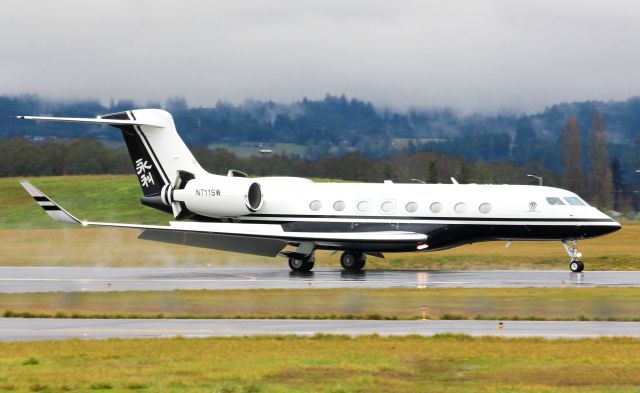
(18, 329)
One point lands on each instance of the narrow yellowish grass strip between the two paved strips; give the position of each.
(602, 303)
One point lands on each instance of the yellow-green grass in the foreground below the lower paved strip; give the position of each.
(323, 364)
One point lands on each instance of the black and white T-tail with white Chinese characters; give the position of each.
(157, 151)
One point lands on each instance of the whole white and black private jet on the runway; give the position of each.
(293, 217)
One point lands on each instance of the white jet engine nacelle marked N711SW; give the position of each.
(219, 196)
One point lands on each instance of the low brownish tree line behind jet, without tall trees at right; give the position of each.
(21, 157)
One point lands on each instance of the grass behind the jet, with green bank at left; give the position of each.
(28, 236)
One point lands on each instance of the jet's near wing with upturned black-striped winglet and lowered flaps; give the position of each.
(257, 239)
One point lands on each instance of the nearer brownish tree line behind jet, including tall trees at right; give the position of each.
(600, 182)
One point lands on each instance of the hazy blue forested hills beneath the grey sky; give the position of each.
(339, 125)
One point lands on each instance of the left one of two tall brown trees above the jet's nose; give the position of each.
(573, 174)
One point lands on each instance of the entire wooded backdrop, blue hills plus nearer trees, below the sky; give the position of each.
(598, 163)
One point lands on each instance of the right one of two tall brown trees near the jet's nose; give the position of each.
(601, 183)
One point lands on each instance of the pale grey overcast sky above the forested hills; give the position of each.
(485, 56)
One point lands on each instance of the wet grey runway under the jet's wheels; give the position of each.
(68, 279)
